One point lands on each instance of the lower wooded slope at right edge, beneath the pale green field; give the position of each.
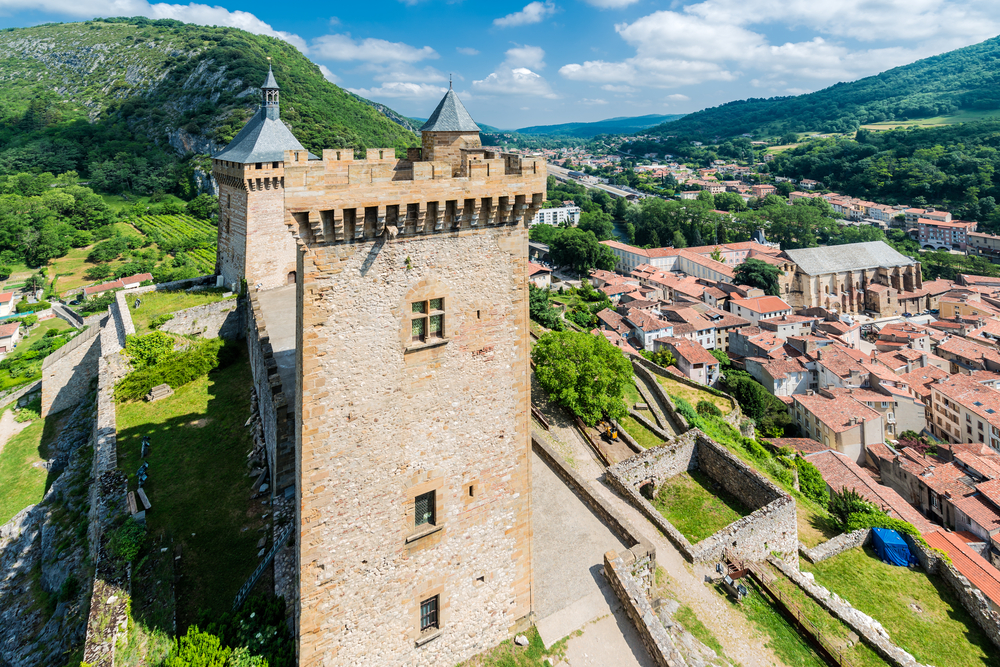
(956, 168)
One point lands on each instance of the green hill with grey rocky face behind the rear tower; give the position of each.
(129, 103)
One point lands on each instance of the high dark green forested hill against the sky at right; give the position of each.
(968, 78)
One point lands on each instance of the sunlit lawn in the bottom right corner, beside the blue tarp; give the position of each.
(920, 612)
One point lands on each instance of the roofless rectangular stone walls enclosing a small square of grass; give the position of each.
(770, 527)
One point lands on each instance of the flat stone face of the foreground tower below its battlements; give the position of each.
(384, 420)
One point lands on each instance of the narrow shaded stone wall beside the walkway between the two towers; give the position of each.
(272, 404)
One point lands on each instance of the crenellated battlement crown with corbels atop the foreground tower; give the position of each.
(339, 199)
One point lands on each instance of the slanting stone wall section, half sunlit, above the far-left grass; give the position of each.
(68, 372)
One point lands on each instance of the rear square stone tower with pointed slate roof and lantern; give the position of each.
(253, 244)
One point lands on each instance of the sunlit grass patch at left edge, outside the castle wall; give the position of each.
(24, 483)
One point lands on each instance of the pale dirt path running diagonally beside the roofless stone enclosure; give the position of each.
(740, 640)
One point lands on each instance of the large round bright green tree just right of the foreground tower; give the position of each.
(584, 373)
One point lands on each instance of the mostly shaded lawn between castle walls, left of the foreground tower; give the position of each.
(198, 486)
